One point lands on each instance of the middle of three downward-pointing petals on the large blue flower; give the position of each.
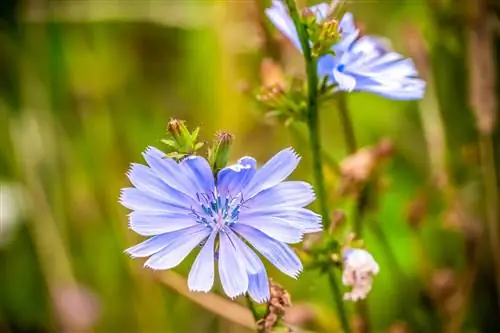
(232, 271)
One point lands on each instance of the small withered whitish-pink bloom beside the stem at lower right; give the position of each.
(359, 269)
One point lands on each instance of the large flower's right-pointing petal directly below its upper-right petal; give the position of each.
(285, 194)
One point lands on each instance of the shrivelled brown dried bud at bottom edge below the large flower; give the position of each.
(277, 306)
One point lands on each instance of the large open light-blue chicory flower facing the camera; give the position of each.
(182, 205)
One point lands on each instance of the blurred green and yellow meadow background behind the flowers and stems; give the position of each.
(87, 85)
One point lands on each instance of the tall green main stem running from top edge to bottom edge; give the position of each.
(315, 142)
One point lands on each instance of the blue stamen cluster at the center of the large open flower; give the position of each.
(218, 210)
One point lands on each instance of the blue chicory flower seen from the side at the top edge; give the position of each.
(358, 63)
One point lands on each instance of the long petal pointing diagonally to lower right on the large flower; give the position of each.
(279, 254)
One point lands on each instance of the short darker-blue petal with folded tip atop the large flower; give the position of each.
(232, 179)
